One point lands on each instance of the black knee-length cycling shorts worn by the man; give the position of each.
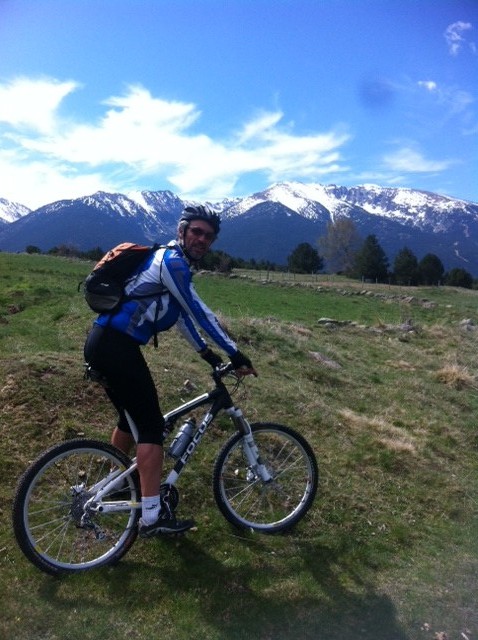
(119, 359)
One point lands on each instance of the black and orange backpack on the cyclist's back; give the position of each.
(104, 287)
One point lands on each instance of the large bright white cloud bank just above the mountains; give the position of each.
(139, 139)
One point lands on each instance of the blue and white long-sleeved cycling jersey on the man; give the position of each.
(173, 301)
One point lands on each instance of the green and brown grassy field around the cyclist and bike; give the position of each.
(386, 392)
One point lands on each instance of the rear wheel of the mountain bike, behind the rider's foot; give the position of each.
(48, 506)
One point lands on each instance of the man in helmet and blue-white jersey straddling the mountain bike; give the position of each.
(113, 349)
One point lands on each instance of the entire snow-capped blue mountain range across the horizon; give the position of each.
(267, 225)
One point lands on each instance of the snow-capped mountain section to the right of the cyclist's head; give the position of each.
(286, 214)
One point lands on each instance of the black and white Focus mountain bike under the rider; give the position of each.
(77, 505)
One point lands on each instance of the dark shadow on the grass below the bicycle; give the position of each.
(240, 602)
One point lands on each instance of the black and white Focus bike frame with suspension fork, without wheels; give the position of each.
(220, 400)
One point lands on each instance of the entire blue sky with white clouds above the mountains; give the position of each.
(221, 98)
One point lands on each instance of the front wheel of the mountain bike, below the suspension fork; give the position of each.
(276, 506)
